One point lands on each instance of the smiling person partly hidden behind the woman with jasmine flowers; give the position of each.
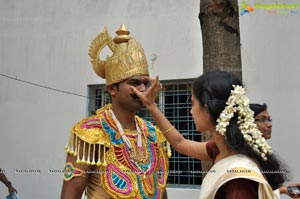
(263, 121)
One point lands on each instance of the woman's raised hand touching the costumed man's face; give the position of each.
(148, 97)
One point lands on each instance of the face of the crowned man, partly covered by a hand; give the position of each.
(125, 97)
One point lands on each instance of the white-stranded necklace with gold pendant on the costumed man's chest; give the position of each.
(139, 155)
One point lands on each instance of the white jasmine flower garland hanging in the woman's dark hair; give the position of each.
(238, 102)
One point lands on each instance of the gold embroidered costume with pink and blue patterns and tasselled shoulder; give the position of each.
(120, 176)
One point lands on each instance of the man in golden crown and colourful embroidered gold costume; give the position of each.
(114, 153)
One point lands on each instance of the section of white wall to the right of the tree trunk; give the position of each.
(271, 68)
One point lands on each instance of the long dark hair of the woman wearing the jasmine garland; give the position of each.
(213, 89)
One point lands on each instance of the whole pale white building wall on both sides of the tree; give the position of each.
(46, 42)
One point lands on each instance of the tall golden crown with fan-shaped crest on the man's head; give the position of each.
(128, 58)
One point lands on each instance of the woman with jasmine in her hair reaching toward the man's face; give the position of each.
(237, 149)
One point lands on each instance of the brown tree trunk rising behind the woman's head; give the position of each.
(219, 20)
